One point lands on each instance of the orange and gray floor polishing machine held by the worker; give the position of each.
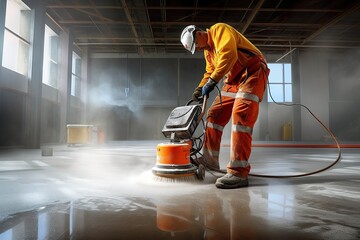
(178, 158)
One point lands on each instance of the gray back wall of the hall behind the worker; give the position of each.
(159, 84)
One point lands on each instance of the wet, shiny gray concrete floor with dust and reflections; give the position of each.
(109, 192)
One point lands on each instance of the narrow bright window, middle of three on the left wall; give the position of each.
(51, 56)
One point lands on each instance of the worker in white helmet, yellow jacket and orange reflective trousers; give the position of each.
(234, 60)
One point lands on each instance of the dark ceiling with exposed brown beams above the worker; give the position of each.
(154, 26)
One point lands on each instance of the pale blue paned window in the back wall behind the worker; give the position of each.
(280, 83)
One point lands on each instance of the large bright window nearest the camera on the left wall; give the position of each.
(17, 37)
